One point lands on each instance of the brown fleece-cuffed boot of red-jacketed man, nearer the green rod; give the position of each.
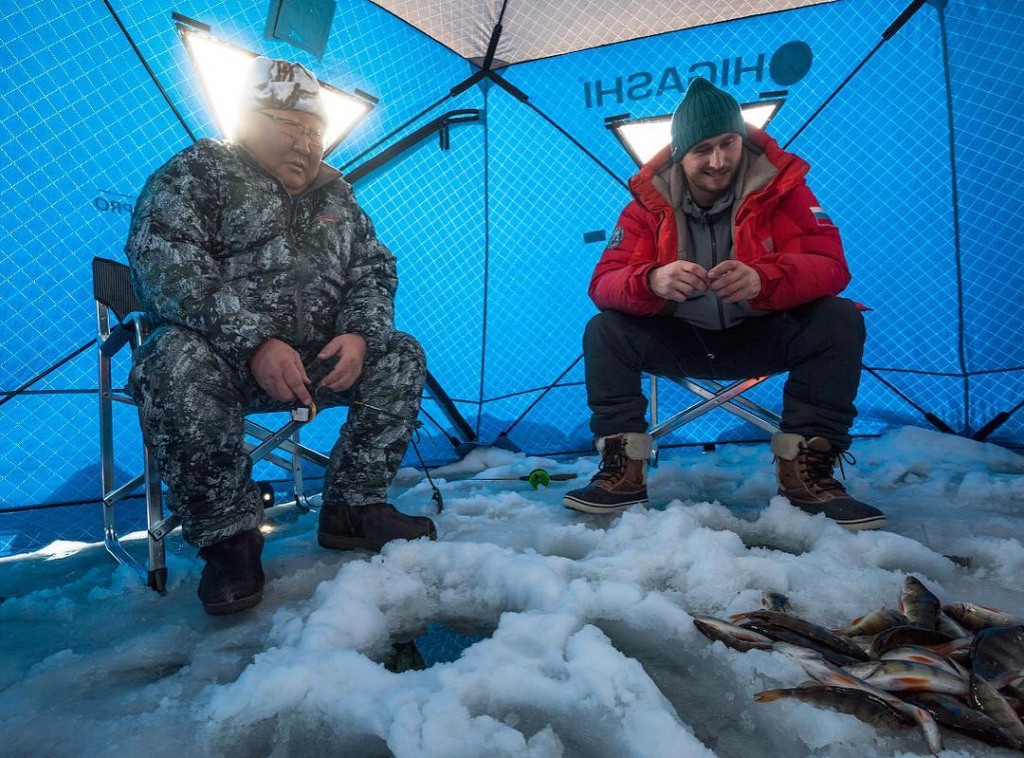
(621, 480)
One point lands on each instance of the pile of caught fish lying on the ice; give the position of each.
(959, 666)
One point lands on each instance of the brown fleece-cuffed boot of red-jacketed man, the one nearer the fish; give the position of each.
(805, 476)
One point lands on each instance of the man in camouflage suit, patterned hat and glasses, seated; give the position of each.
(267, 284)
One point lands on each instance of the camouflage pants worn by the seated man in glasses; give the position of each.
(192, 406)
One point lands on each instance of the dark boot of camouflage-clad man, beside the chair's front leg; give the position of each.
(233, 578)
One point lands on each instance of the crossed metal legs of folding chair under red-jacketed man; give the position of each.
(713, 395)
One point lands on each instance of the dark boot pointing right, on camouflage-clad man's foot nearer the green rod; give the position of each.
(345, 527)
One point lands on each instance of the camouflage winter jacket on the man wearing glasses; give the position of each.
(218, 246)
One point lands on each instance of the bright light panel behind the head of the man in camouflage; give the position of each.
(222, 68)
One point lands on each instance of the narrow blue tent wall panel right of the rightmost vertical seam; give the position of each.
(987, 91)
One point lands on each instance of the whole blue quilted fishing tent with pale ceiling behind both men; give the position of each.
(489, 167)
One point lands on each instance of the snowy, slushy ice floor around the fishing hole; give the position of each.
(544, 633)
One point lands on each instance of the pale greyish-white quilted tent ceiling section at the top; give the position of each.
(538, 29)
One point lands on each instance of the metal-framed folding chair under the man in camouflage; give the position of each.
(113, 293)
